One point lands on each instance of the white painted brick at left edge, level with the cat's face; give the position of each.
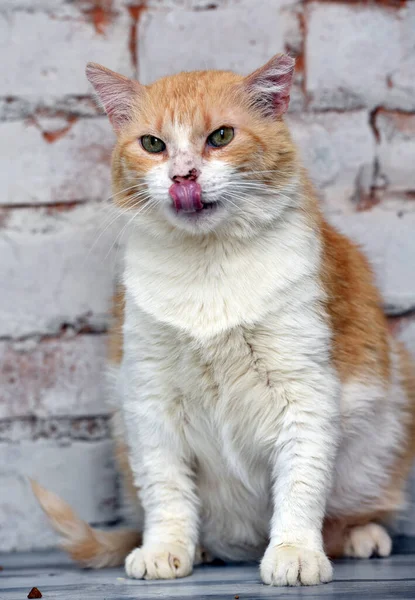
(73, 167)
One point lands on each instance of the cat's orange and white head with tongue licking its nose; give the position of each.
(202, 151)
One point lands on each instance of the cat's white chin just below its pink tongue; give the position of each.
(197, 221)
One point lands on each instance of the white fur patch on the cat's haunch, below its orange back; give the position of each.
(373, 421)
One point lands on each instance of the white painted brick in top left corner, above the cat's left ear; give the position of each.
(47, 53)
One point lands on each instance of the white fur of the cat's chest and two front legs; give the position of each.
(226, 360)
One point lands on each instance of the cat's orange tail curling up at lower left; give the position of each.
(87, 546)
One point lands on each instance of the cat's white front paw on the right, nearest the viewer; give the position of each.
(295, 565)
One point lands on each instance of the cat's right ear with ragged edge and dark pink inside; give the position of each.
(269, 86)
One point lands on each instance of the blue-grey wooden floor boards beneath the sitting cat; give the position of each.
(58, 579)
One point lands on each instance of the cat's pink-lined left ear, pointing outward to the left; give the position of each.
(117, 93)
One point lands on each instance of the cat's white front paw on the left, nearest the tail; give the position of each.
(166, 561)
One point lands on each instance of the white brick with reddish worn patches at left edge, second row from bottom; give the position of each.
(55, 377)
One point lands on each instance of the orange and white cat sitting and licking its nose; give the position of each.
(265, 413)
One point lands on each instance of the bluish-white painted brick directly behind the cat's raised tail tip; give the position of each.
(81, 473)
